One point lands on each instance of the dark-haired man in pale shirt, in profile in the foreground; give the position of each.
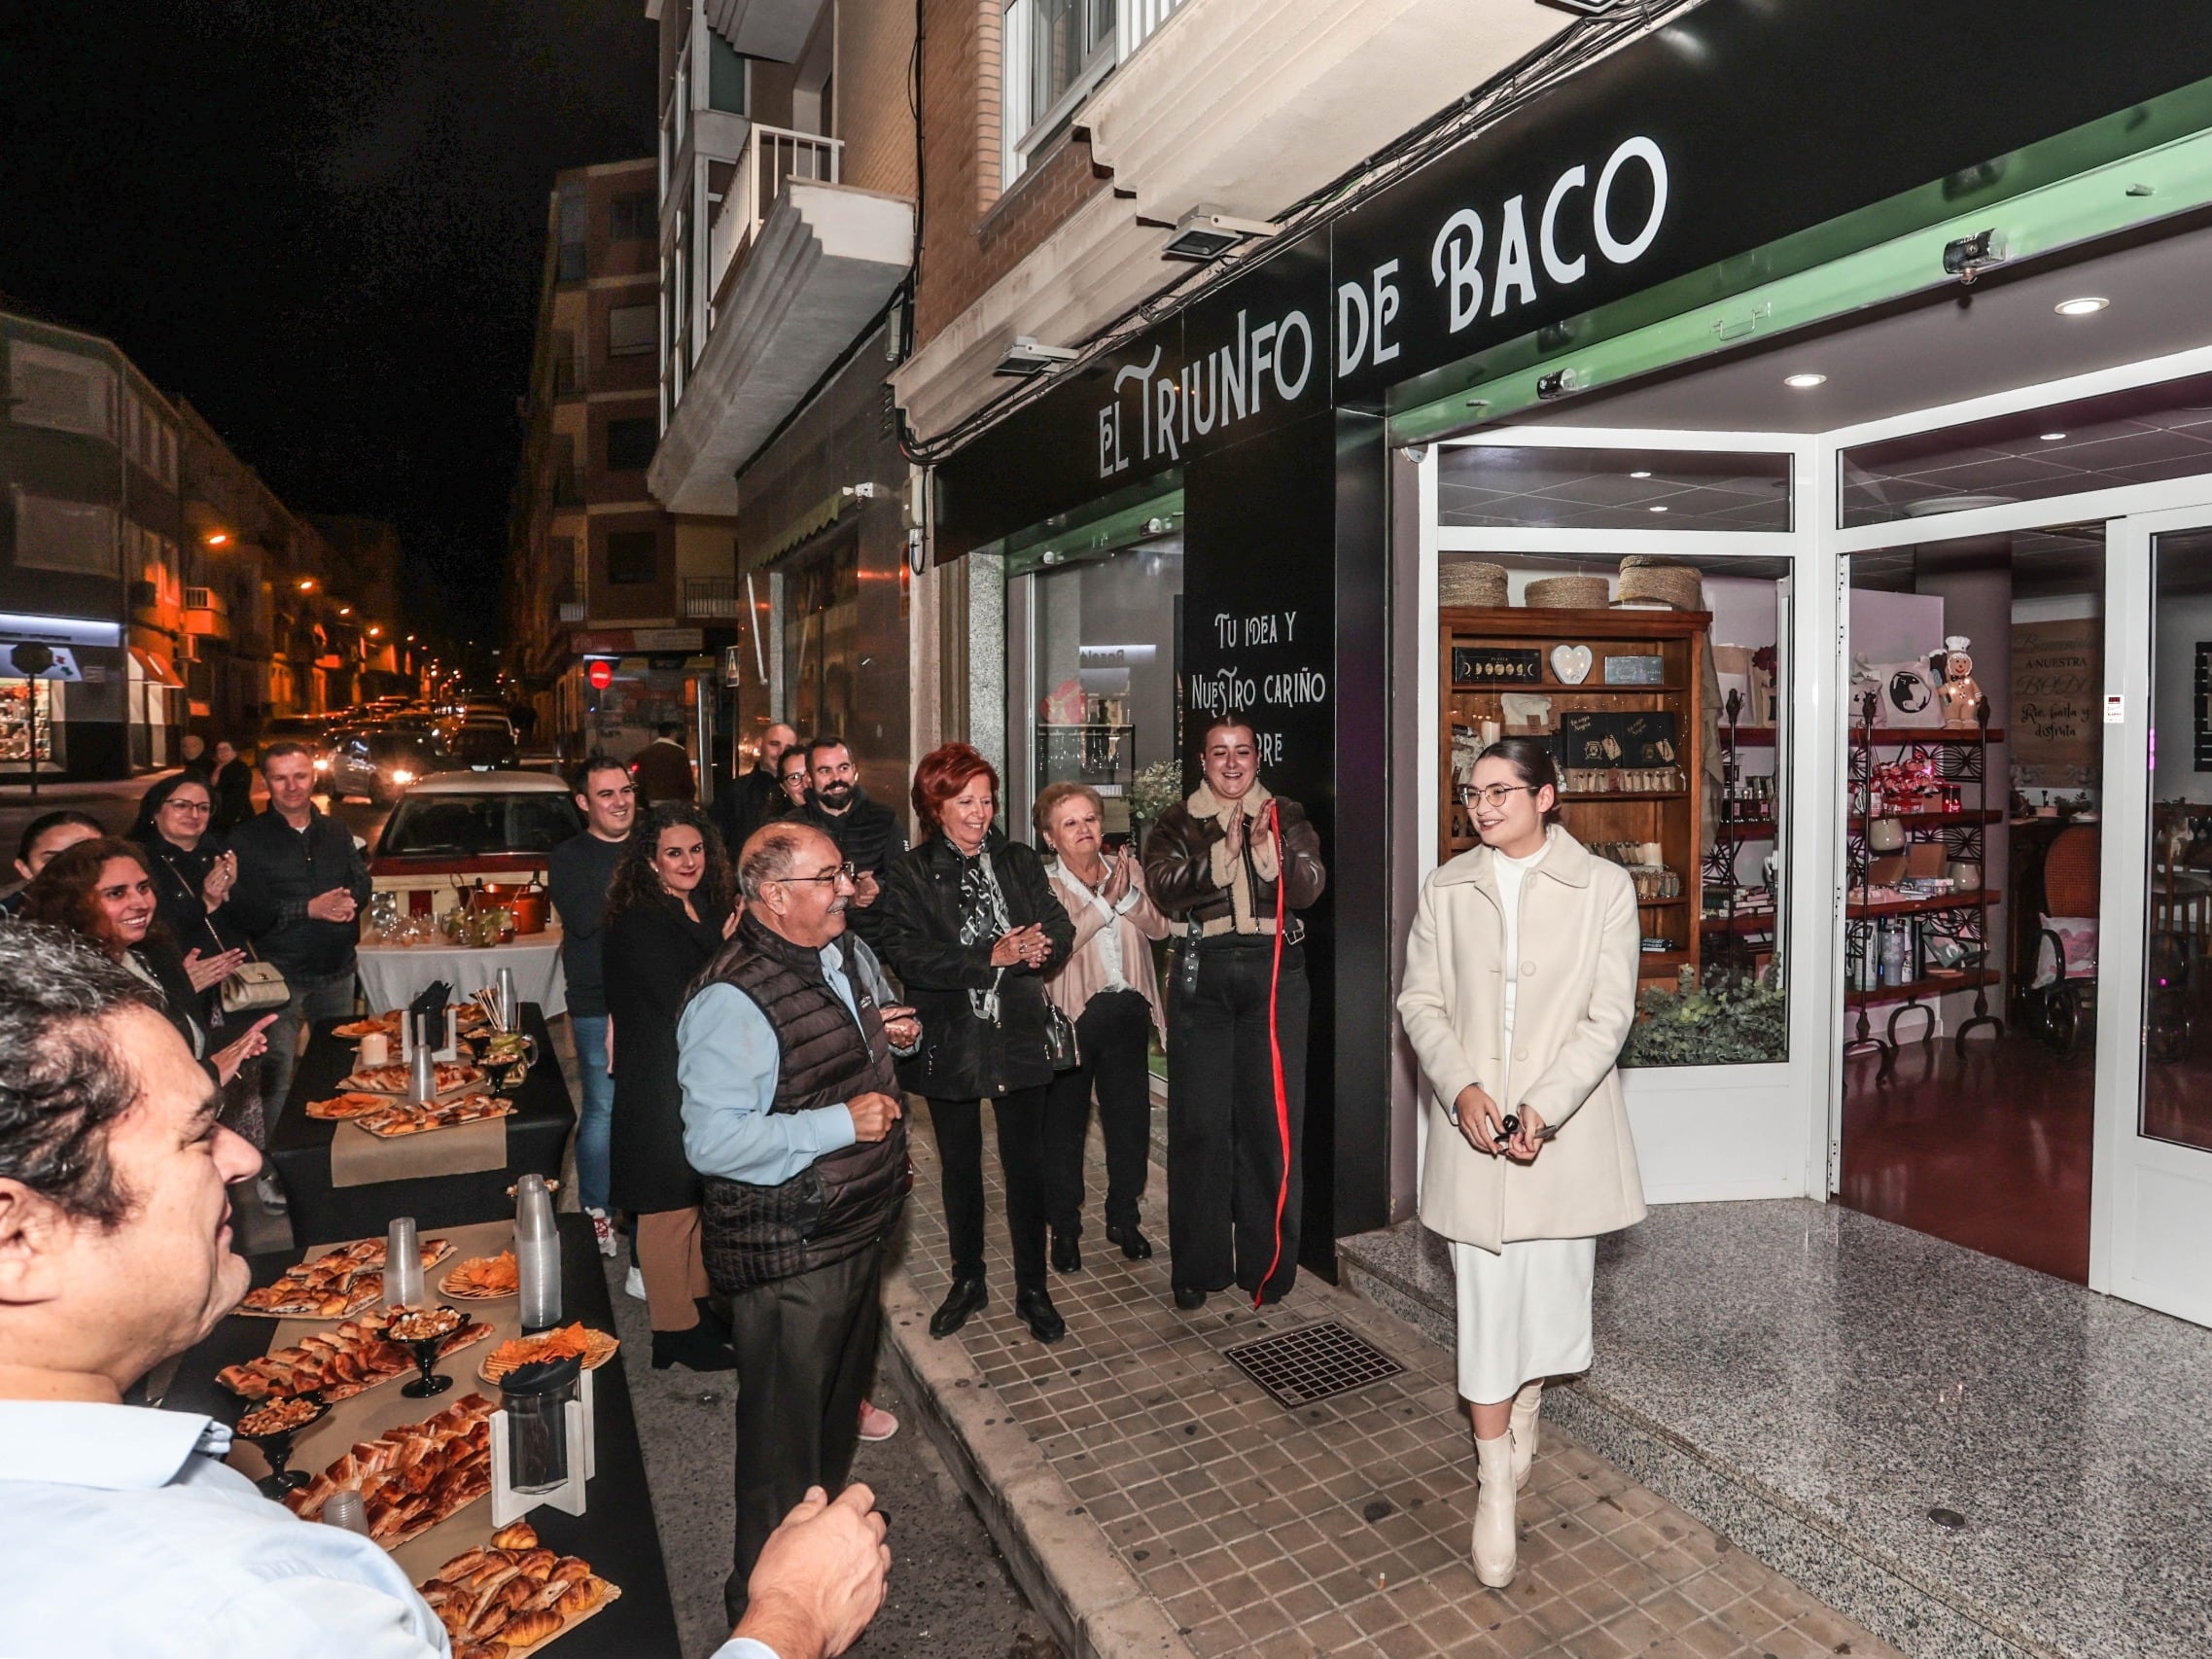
(121, 1527)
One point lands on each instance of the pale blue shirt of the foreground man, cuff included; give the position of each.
(125, 1534)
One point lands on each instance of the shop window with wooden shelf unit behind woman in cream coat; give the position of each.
(1673, 751)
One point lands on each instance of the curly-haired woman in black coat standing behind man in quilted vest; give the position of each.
(667, 915)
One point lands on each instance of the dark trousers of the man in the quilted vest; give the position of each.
(806, 1357)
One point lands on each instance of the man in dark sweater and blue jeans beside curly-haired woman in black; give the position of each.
(578, 875)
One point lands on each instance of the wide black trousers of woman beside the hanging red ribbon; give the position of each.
(1224, 1147)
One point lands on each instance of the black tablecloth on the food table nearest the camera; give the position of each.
(616, 1534)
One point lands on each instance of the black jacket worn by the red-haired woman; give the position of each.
(919, 937)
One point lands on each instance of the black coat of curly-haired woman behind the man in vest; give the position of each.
(651, 954)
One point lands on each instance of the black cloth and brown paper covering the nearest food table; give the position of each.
(616, 1532)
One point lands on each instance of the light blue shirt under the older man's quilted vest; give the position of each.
(729, 1063)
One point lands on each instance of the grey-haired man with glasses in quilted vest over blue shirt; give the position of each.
(793, 1120)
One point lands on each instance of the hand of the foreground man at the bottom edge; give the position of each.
(820, 1578)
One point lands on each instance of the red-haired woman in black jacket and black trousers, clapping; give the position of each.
(970, 924)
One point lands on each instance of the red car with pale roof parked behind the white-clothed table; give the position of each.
(455, 828)
